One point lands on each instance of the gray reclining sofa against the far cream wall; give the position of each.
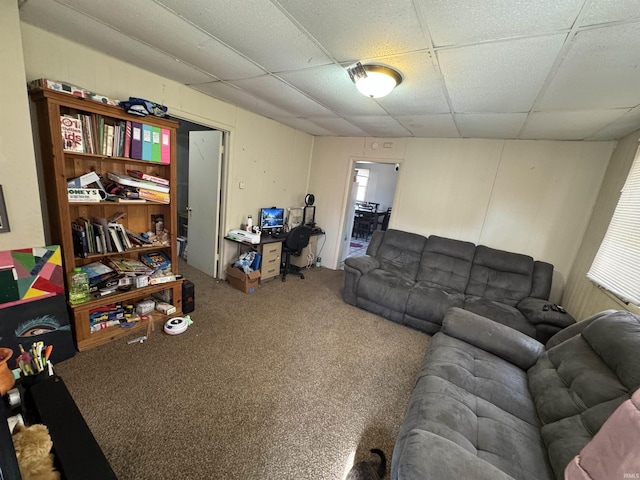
(413, 280)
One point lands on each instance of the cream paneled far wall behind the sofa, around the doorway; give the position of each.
(530, 197)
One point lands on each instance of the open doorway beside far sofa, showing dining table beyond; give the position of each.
(372, 190)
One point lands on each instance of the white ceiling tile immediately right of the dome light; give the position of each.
(503, 77)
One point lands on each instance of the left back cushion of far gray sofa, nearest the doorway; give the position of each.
(399, 253)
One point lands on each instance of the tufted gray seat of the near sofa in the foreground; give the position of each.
(480, 403)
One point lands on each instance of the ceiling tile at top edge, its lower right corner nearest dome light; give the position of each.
(256, 28)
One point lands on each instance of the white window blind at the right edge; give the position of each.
(616, 267)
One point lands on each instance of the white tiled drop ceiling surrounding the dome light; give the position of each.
(514, 69)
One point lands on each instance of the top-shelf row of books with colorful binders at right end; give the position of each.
(118, 138)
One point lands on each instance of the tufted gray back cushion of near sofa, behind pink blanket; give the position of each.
(579, 383)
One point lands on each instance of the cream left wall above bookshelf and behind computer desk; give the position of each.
(270, 159)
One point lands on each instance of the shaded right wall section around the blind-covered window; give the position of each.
(582, 297)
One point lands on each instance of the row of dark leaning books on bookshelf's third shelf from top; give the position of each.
(101, 235)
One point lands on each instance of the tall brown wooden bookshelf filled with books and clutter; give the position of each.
(60, 165)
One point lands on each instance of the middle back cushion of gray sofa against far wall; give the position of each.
(446, 263)
